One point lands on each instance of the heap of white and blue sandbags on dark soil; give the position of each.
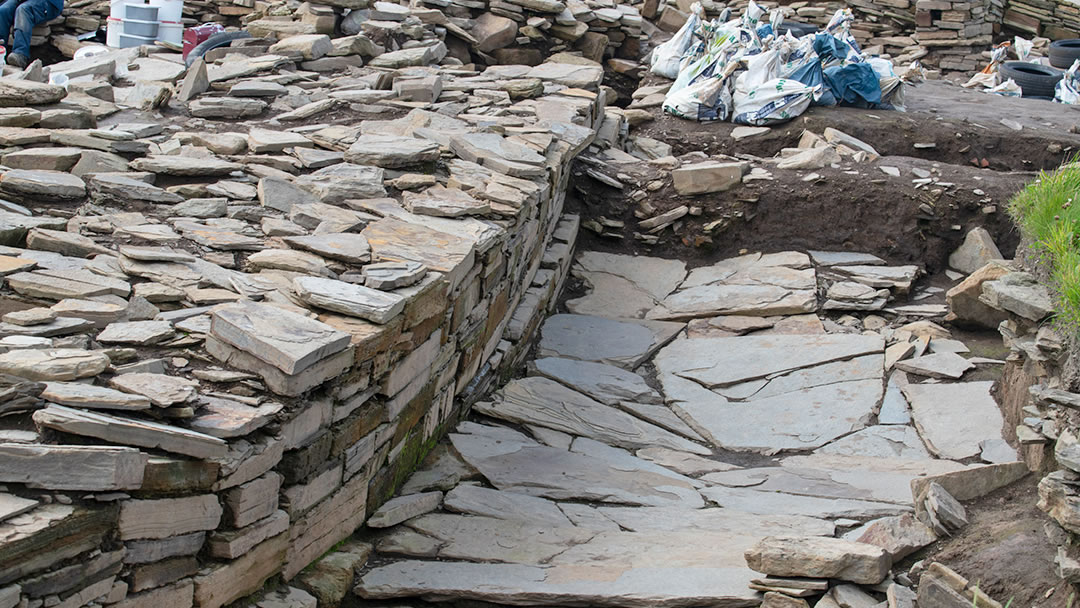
(746, 71)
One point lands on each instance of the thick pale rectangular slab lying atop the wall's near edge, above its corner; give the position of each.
(290, 342)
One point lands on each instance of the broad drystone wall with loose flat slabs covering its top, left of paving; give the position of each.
(231, 328)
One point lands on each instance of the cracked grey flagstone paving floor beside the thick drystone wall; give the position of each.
(606, 477)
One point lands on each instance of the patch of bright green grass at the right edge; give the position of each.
(1048, 212)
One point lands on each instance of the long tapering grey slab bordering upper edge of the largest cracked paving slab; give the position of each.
(722, 362)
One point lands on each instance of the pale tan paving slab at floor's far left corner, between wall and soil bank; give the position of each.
(625, 287)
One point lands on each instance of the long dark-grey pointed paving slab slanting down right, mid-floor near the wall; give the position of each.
(525, 467)
